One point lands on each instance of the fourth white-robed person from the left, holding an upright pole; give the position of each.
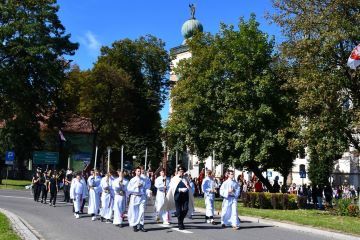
(119, 186)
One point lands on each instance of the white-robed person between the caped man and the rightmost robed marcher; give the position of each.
(208, 187)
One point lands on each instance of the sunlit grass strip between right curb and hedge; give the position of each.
(315, 218)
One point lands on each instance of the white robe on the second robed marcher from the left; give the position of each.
(94, 194)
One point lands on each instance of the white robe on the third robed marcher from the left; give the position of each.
(107, 198)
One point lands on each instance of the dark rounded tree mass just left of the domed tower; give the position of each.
(124, 94)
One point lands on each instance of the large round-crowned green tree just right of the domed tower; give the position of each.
(231, 99)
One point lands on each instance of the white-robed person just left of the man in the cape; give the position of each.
(162, 184)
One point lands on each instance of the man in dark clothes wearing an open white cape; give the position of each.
(179, 197)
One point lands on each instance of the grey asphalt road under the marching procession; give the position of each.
(59, 223)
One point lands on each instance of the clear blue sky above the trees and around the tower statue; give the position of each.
(95, 23)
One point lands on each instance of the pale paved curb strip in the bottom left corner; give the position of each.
(21, 227)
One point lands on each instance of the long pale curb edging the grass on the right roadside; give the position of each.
(300, 228)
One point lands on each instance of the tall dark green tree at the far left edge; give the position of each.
(33, 41)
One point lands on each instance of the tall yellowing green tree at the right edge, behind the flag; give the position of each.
(319, 38)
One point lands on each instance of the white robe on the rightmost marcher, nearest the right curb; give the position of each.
(229, 215)
